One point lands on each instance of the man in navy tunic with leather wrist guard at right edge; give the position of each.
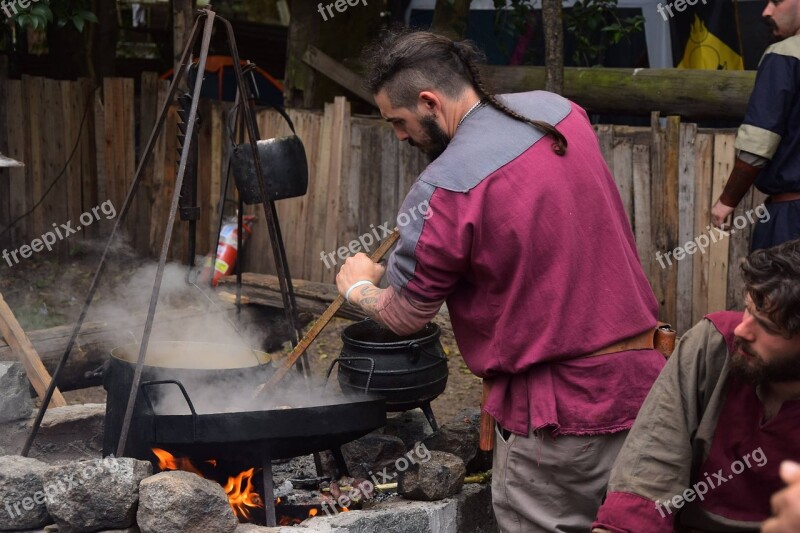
(768, 142)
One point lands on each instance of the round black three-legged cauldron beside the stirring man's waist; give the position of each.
(408, 371)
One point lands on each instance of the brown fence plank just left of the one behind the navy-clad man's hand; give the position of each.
(704, 144)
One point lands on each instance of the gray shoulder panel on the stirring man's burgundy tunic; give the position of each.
(490, 139)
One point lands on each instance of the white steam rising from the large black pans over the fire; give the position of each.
(188, 317)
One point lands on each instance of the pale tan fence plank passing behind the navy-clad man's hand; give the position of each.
(724, 155)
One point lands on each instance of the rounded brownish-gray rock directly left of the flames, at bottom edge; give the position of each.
(181, 502)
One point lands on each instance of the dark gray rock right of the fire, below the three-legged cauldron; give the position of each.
(440, 477)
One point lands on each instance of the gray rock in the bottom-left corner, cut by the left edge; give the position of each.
(22, 493)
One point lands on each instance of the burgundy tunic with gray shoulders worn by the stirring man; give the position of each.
(536, 259)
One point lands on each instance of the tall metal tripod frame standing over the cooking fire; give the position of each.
(287, 292)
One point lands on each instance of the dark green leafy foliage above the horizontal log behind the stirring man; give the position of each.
(594, 24)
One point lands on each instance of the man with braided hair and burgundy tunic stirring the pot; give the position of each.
(528, 243)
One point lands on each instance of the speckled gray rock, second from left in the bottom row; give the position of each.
(97, 494)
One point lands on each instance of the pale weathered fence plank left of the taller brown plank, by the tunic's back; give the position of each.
(641, 208)
